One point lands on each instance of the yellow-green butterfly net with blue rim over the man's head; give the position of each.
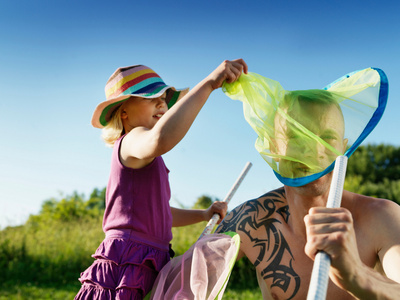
(302, 132)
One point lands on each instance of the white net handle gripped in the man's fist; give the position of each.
(320, 273)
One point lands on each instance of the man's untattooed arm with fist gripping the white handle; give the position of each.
(332, 231)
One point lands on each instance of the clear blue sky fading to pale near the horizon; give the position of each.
(56, 56)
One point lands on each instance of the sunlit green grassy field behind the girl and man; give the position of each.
(43, 260)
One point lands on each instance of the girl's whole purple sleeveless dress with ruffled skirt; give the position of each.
(137, 222)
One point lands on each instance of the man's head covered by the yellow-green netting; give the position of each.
(309, 132)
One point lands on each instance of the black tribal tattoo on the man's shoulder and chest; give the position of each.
(260, 215)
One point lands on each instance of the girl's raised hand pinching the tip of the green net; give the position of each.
(228, 71)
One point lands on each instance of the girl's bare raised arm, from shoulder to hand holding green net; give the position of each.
(147, 143)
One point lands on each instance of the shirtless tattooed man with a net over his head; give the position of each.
(282, 231)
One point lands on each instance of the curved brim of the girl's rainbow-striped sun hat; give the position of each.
(104, 111)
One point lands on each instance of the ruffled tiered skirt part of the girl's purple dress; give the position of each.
(125, 268)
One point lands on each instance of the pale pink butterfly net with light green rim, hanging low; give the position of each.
(202, 272)
